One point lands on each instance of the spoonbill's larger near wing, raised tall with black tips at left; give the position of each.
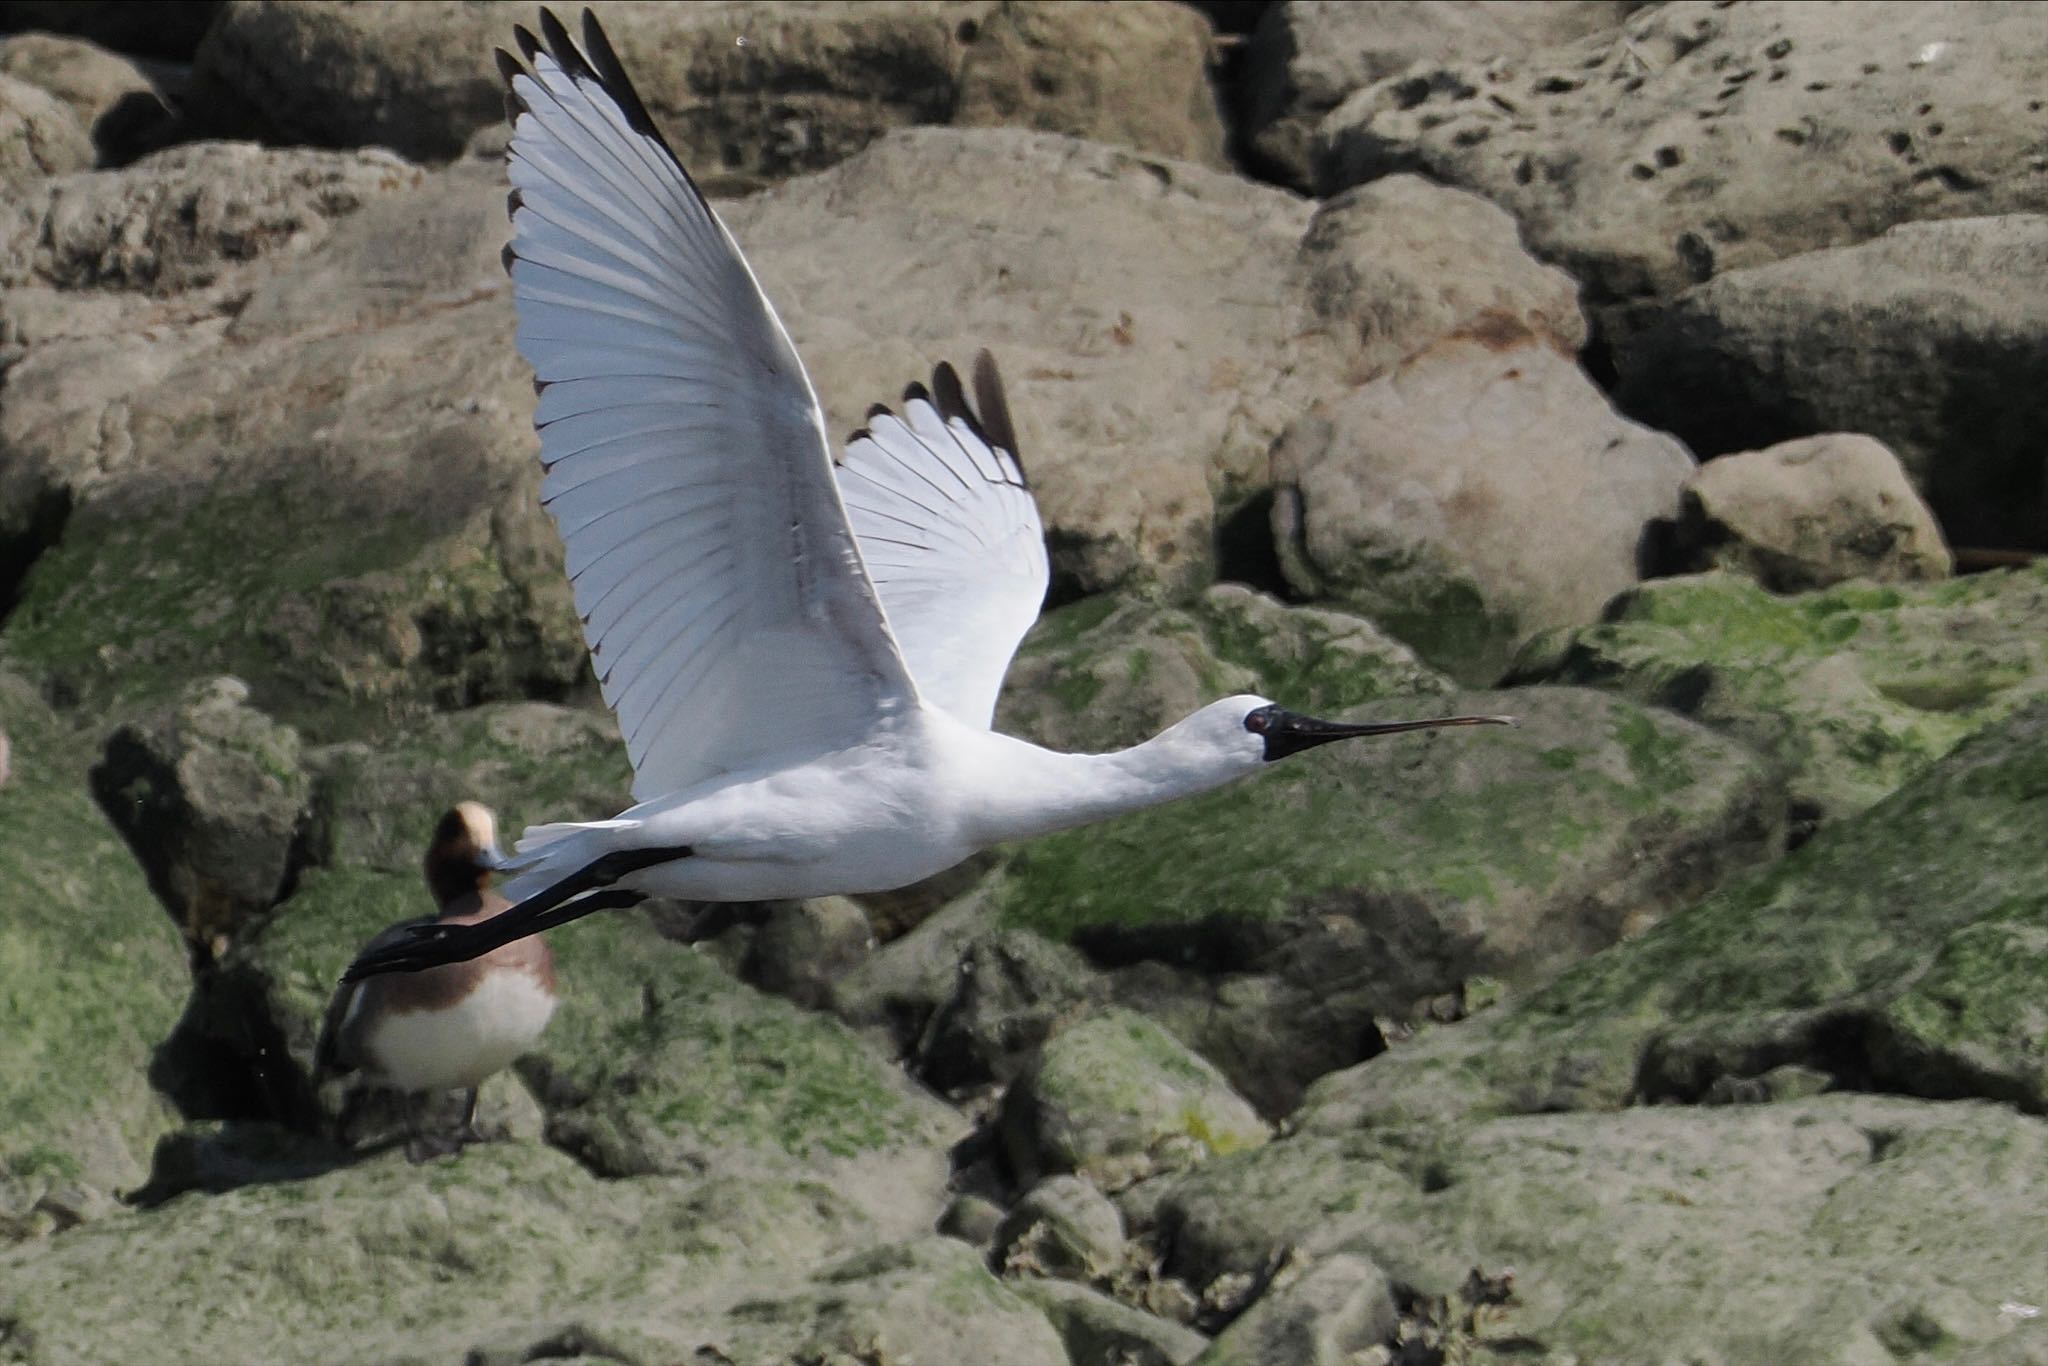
(687, 466)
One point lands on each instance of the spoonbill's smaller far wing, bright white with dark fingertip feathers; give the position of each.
(949, 533)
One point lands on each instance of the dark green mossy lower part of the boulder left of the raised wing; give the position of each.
(339, 620)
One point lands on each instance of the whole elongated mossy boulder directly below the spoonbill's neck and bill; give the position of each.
(1531, 847)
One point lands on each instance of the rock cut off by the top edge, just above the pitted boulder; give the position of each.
(1308, 56)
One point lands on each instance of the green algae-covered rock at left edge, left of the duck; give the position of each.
(91, 982)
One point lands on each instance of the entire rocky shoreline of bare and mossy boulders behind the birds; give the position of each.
(1670, 376)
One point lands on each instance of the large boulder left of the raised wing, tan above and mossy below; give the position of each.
(335, 493)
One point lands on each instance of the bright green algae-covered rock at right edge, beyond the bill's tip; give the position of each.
(1850, 691)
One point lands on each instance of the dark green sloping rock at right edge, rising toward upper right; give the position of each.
(1897, 949)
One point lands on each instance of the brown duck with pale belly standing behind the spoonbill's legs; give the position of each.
(450, 1027)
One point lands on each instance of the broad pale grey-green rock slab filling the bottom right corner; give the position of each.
(1832, 1230)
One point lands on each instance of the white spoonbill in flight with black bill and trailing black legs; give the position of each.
(804, 654)
